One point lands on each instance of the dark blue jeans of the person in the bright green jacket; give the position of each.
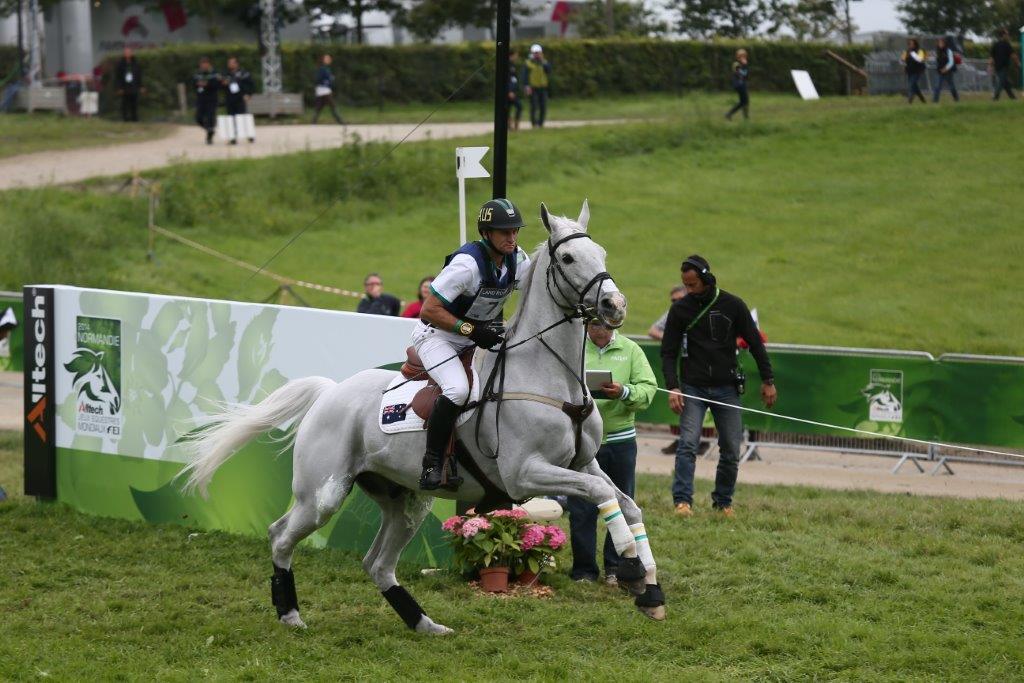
(619, 461)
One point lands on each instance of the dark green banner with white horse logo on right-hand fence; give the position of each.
(978, 403)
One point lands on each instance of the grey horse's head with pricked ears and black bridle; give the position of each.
(576, 272)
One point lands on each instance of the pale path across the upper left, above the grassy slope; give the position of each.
(187, 144)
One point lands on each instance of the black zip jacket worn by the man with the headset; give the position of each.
(712, 343)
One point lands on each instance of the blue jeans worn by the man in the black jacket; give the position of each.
(730, 424)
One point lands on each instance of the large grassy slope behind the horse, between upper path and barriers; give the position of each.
(859, 223)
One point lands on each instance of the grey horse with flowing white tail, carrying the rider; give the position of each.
(338, 443)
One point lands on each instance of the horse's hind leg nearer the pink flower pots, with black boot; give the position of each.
(403, 511)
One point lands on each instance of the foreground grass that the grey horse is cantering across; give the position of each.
(803, 585)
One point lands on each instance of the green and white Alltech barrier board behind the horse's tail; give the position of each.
(112, 379)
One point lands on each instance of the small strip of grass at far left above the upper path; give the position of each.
(25, 134)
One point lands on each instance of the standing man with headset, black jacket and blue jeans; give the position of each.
(701, 341)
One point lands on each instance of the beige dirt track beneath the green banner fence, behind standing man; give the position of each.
(780, 466)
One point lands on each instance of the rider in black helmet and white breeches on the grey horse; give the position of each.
(464, 309)
